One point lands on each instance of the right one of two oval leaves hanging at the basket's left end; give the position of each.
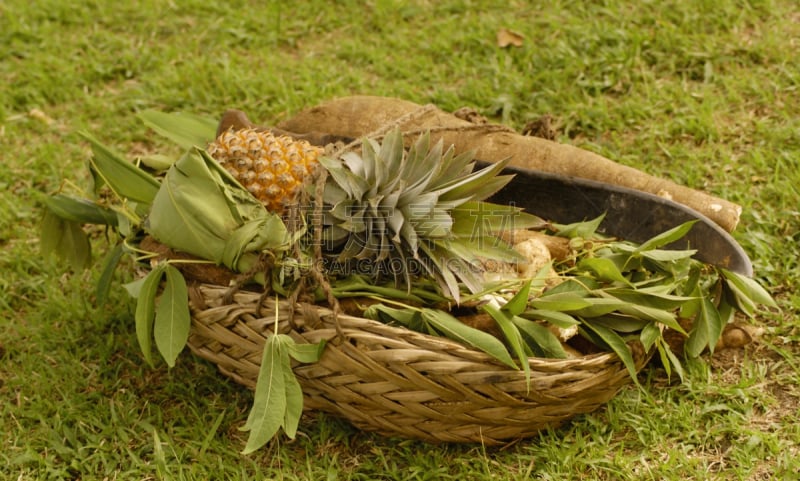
(172, 318)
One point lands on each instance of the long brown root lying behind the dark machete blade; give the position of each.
(358, 116)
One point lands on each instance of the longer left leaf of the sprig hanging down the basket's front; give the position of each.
(269, 401)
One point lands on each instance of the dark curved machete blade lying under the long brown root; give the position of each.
(629, 214)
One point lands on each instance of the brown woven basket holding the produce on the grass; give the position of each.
(398, 382)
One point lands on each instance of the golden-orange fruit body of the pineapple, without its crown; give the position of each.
(272, 168)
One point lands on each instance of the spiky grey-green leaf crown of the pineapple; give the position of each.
(422, 206)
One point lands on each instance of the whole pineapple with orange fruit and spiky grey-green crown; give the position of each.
(388, 211)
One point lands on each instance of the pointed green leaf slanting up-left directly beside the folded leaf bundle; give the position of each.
(125, 179)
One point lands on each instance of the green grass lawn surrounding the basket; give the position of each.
(704, 93)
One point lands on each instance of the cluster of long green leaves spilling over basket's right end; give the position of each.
(617, 289)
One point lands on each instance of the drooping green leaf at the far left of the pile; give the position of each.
(65, 239)
